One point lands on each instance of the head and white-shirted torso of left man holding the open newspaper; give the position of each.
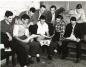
(21, 31)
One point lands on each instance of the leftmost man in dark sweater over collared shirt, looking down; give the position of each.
(7, 34)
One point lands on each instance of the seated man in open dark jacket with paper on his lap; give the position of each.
(71, 35)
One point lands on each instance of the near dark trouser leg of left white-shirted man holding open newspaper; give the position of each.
(20, 51)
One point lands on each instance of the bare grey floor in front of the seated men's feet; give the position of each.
(56, 62)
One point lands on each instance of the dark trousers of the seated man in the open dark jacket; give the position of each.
(64, 48)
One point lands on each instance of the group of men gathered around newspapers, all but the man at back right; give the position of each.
(27, 34)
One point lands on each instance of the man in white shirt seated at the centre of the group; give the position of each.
(43, 30)
